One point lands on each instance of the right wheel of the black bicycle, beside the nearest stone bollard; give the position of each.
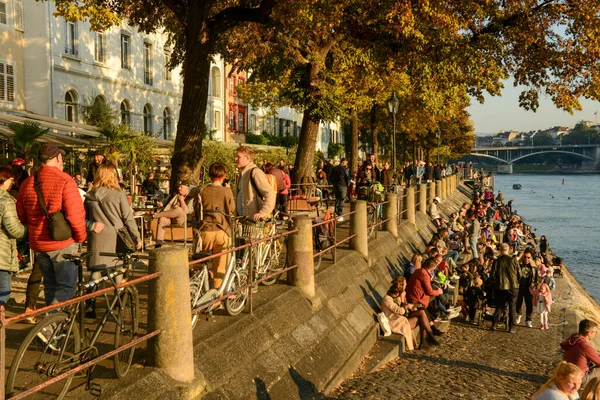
(126, 330)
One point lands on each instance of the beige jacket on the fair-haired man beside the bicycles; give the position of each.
(248, 202)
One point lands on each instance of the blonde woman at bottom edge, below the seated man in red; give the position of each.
(563, 385)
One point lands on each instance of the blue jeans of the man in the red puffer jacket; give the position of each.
(60, 276)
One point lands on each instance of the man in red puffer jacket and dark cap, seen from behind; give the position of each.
(60, 193)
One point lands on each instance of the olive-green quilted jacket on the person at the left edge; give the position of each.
(12, 229)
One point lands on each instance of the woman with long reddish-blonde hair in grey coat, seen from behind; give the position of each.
(102, 235)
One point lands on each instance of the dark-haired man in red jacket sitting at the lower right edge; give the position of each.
(578, 350)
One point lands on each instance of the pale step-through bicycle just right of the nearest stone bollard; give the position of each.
(235, 277)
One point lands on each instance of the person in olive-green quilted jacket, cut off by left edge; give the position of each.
(12, 229)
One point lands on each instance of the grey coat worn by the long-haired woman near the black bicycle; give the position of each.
(120, 213)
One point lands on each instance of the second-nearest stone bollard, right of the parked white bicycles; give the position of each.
(300, 253)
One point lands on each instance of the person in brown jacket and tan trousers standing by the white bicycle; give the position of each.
(215, 229)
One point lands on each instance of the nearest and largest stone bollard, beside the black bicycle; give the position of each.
(169, 310)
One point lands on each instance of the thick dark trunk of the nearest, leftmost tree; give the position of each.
(187, 156)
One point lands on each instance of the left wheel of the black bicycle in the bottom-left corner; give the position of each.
(37, 362)
